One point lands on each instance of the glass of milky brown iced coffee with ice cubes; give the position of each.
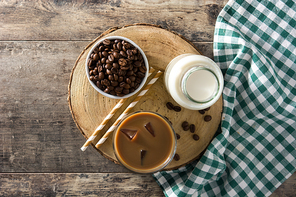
(144, 142)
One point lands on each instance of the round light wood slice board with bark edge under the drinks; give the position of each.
(89, 108)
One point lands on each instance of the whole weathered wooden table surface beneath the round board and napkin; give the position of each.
(39, 141)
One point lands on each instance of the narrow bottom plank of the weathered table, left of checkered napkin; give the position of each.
(78, 184)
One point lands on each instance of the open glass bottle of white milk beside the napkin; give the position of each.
(194, 81)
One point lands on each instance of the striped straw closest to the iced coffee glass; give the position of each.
(127, 110)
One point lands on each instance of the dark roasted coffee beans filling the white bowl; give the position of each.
(116, 67)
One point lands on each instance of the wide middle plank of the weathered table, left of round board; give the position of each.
(38, 133)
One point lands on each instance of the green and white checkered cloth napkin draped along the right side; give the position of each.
(255, 46)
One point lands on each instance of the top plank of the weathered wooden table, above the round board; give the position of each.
(85, 20)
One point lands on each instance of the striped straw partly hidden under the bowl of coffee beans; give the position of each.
(105, 121)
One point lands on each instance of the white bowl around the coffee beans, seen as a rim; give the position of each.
(107, 94)
